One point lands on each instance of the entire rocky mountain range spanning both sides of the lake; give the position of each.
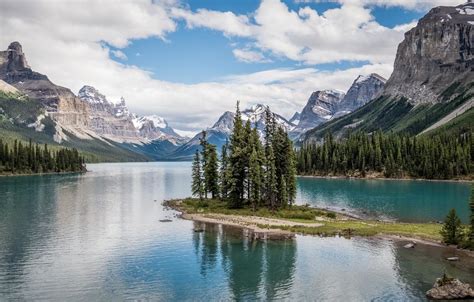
(431, 89)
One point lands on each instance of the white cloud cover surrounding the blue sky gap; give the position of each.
(68, 42)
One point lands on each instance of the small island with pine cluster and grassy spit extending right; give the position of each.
(253, 187)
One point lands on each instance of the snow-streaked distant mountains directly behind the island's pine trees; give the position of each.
(220, 132)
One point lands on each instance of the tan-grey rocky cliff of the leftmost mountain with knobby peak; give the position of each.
(60, 103)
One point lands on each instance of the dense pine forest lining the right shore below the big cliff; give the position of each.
(394, 155)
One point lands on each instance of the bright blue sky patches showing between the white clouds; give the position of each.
(196, 55)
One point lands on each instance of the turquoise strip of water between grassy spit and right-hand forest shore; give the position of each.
(402, 200)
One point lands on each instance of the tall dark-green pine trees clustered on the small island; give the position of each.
(249, 172)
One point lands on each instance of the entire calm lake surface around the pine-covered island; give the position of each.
(97, 237)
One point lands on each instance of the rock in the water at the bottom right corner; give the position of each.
(447, 288)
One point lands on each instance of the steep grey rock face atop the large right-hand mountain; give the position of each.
(438, 52)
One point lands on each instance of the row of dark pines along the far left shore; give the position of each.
(31, 158)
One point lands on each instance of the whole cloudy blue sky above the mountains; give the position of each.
(190, 60)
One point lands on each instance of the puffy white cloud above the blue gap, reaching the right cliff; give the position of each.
(349, 32)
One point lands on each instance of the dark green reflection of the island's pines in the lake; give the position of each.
(253, 268)
